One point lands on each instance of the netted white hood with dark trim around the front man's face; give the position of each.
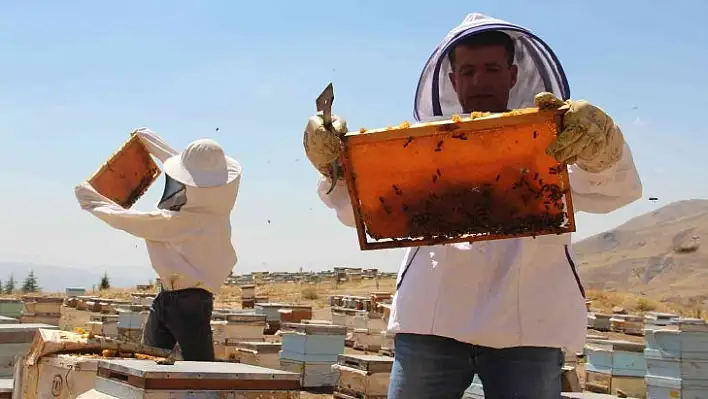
(539, 69)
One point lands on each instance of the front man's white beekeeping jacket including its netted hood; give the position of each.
(505, 293)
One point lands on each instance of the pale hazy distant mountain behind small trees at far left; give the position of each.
(58, 278)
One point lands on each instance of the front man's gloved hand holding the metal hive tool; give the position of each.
(323, 146)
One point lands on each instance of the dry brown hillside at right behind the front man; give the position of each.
(657, 254)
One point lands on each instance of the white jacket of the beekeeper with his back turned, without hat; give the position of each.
(190, 247)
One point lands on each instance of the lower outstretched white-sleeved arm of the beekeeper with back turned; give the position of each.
(158, 225)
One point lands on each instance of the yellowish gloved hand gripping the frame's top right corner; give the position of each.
(589, 138)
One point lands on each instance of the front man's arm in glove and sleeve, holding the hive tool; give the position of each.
(323, 147)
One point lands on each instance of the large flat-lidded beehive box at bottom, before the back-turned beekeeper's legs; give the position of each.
(146, 379)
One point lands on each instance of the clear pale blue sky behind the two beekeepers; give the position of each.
(77, 76)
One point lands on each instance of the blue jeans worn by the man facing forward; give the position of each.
(432, 367)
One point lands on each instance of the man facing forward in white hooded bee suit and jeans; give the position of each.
(502, 310)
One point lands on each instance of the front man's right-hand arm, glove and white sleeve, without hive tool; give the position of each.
(603, 176)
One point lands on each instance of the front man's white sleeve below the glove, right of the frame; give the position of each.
(608, 190)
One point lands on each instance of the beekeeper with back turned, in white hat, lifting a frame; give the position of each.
(188, 239)
